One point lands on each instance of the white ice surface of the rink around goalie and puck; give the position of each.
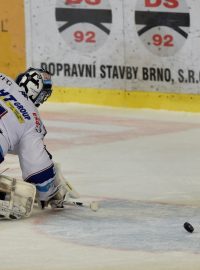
(143, 167)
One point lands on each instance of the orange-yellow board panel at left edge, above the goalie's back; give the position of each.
(12, 37)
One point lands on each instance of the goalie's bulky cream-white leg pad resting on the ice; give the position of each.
(19, 198)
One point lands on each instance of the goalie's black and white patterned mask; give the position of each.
(37, 84)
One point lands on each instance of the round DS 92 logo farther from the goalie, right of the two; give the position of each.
(162, 25)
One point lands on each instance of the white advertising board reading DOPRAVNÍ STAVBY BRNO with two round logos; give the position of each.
(140, 45)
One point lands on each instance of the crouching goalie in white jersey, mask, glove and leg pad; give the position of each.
(22, 133)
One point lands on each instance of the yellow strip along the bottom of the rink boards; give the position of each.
(128, 99)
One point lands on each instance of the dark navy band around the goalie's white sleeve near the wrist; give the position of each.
(42, 176)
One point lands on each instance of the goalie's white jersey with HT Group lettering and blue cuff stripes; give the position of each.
(22, 133)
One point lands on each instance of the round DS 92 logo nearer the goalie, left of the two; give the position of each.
(84, 24)
